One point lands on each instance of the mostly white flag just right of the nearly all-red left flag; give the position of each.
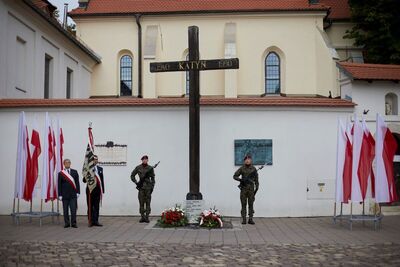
(49, 160)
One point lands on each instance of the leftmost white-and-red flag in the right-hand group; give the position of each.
(343, 164)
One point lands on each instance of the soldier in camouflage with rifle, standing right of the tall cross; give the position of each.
(248, 186)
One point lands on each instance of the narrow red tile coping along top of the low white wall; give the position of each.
(140, 102)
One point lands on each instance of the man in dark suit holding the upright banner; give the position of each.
(95, 196)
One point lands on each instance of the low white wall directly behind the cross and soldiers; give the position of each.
(304, 148)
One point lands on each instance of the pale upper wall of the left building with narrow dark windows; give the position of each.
(25, 38)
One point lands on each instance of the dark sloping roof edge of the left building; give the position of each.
(67, 34)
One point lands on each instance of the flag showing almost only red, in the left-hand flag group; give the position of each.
(36, 150)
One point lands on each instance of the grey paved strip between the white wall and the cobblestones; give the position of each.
(320, 230)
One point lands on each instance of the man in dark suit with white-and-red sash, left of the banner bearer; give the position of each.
(68, 192)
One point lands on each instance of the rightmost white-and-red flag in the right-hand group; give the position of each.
(385, 149)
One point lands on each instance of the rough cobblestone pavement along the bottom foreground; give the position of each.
(131, 254)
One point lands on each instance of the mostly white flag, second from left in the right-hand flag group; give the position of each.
(356, 192)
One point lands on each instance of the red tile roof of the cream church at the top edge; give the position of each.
(101, 7)
